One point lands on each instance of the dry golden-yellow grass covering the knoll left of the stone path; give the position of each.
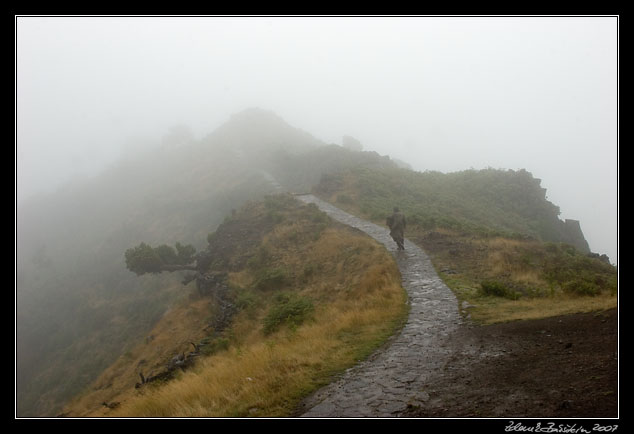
(358, 300)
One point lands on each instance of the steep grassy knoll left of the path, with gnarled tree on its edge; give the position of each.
(293, 299)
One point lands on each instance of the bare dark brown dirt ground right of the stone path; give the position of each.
(560, 367)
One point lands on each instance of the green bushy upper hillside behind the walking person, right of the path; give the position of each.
(510, 203)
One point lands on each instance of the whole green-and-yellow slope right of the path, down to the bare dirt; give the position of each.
(484, 228)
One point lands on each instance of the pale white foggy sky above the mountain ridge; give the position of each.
(441, 93)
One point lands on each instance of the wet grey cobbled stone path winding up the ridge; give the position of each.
(395, 376)
